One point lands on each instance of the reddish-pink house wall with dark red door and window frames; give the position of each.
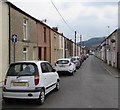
(44, 45)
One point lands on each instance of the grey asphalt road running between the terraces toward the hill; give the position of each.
(90, 87)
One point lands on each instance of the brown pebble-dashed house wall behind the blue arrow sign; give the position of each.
(16, 21)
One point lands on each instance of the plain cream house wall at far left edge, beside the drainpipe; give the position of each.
(4, 35)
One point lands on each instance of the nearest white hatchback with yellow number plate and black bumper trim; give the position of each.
(30, 80)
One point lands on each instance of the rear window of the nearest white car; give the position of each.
(22, 69)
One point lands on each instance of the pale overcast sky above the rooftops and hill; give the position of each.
(89, 19)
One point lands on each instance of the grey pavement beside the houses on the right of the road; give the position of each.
(114, 72)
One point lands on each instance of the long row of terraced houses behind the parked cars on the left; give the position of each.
(35, 39)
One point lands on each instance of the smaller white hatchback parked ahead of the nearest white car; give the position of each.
(65, 65)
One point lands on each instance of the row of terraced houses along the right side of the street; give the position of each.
(109, 49)
